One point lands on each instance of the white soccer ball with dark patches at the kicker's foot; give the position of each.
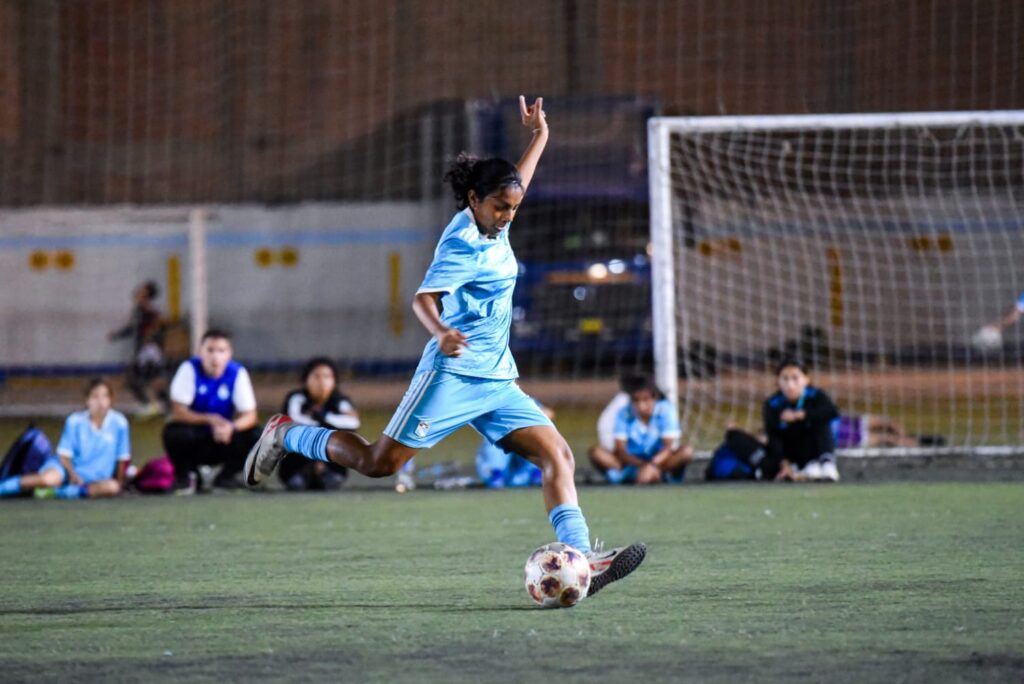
(558, 576)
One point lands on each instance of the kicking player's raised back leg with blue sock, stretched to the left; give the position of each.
(282, 437)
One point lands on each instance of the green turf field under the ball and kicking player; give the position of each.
(910, 582)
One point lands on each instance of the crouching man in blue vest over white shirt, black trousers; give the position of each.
(214, 415)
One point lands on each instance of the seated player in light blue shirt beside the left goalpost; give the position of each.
(648, 448)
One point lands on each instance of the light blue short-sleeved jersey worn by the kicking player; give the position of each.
(478, 277)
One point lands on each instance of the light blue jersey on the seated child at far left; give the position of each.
(95, 453)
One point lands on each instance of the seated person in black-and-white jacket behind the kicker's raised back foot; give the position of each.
(320, 404)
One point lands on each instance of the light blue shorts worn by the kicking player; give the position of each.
(438, 404)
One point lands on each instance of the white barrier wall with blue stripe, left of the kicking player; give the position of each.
(289, 283)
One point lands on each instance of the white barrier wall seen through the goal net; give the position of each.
(886, 283)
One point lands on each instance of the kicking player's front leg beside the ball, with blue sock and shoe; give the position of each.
(545, 447)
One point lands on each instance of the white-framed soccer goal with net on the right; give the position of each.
(874, 247)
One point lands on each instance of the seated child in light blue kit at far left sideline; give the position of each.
(93, 455)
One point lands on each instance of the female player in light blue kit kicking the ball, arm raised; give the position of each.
(466, 374)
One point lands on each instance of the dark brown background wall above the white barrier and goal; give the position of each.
(195, 101)
